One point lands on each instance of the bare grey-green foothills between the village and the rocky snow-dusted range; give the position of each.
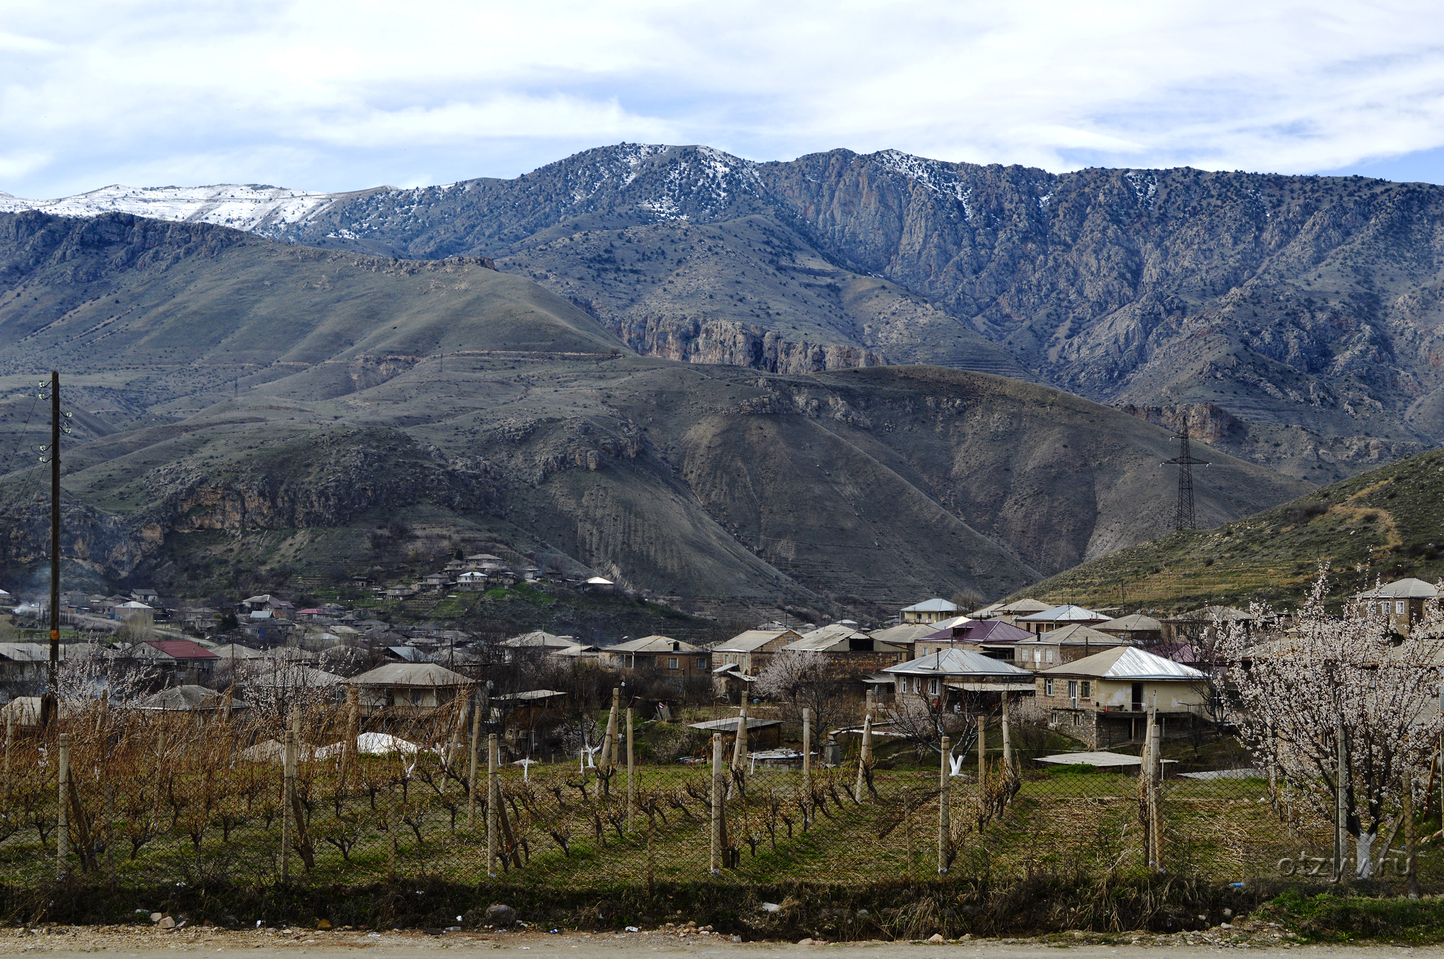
(251, 405)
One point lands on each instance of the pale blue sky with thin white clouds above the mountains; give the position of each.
(343, 96)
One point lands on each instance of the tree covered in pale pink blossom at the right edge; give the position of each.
(1329, 675)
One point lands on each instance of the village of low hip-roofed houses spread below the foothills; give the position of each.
(1088, 675)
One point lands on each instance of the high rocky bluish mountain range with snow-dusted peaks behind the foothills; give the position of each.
(1295, 321)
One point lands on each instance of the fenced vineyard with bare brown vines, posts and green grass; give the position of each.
(145, 799)
